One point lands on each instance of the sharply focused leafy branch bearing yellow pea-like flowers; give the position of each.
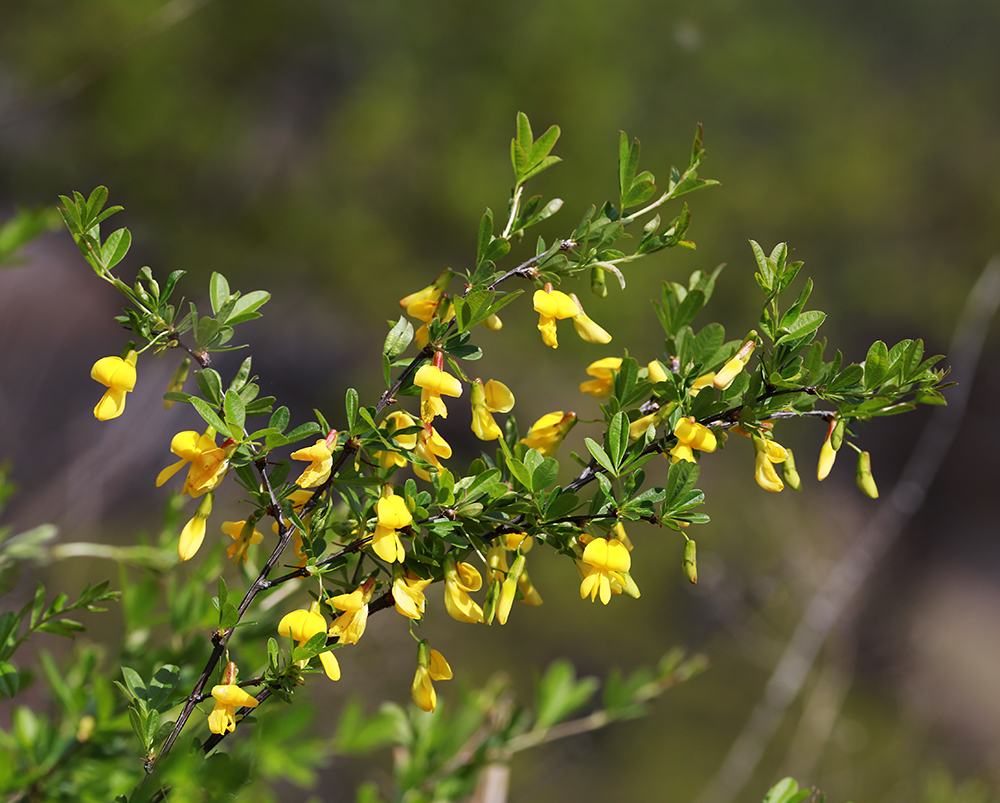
(367, 537)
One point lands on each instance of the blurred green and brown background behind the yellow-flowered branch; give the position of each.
(341, 154)
